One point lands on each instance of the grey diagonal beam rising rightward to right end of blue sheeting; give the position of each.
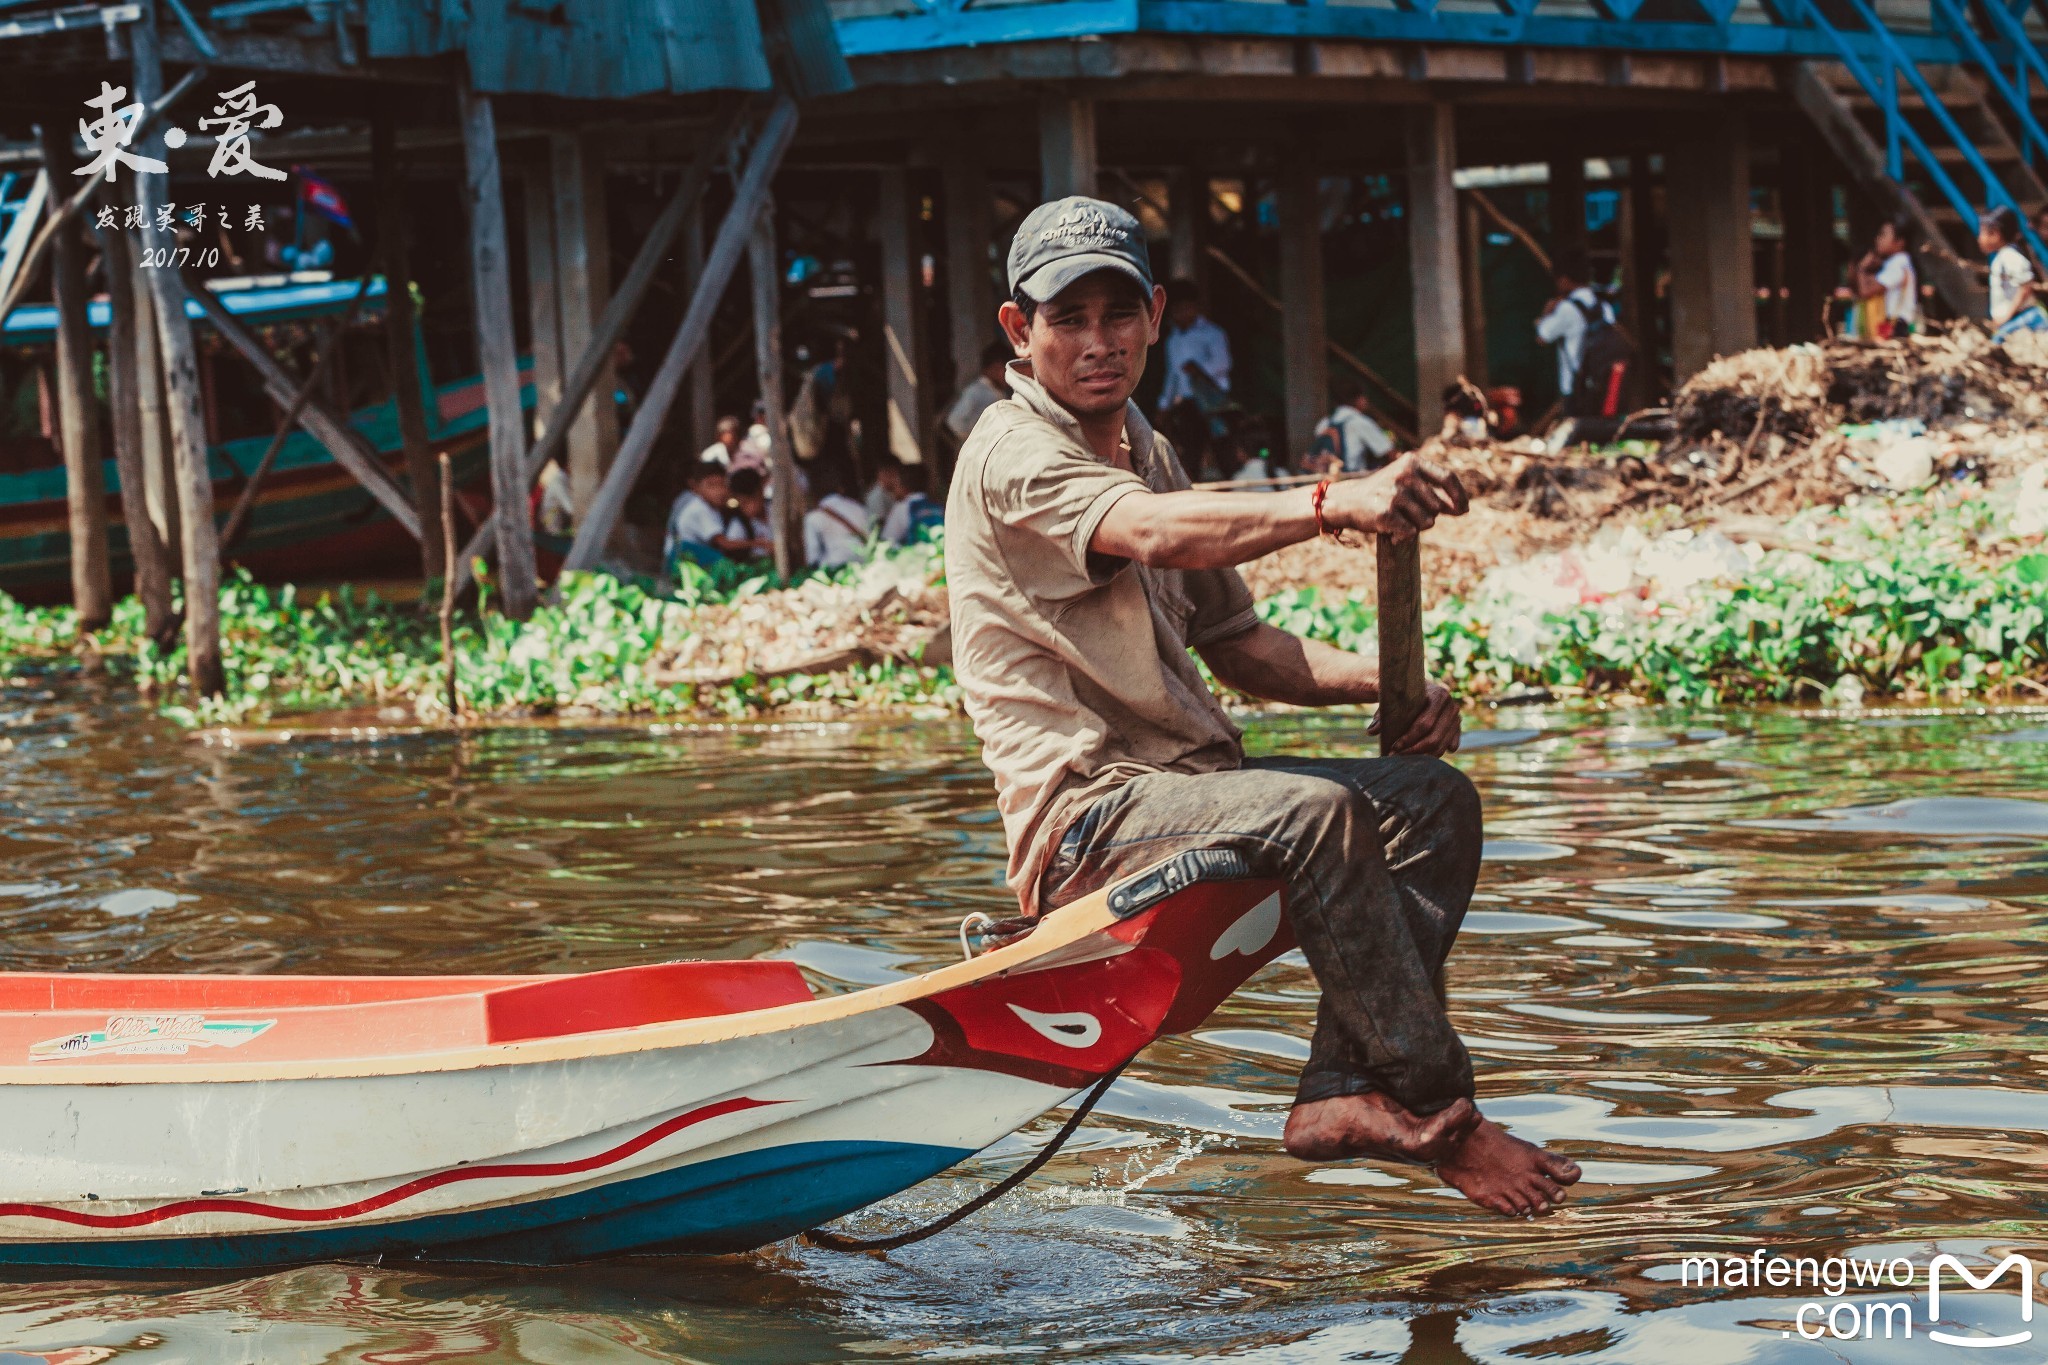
(689, 341)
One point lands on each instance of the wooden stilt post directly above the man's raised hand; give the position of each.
(1433, 157)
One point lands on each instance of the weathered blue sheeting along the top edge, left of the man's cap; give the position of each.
(617, 48)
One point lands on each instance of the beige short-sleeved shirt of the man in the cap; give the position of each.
(1076, 666)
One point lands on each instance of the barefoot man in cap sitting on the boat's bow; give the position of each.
(1082, 570)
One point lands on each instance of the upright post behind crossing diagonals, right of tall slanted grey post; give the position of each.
(583, 279)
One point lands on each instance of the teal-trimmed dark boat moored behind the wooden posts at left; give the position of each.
(310, 519)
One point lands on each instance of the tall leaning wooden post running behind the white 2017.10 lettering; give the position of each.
(181, 400)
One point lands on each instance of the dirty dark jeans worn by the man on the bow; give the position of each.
(1379, 861)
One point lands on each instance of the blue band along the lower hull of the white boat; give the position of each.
(714, 1206)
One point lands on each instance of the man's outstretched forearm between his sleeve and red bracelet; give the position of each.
(1205, 531)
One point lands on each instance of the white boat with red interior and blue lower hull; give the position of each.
(687, 1106)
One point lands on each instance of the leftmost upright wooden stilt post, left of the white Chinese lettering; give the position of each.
(79, 416)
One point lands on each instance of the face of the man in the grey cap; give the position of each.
(1089, 343)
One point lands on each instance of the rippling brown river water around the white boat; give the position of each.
(1775, 979)
